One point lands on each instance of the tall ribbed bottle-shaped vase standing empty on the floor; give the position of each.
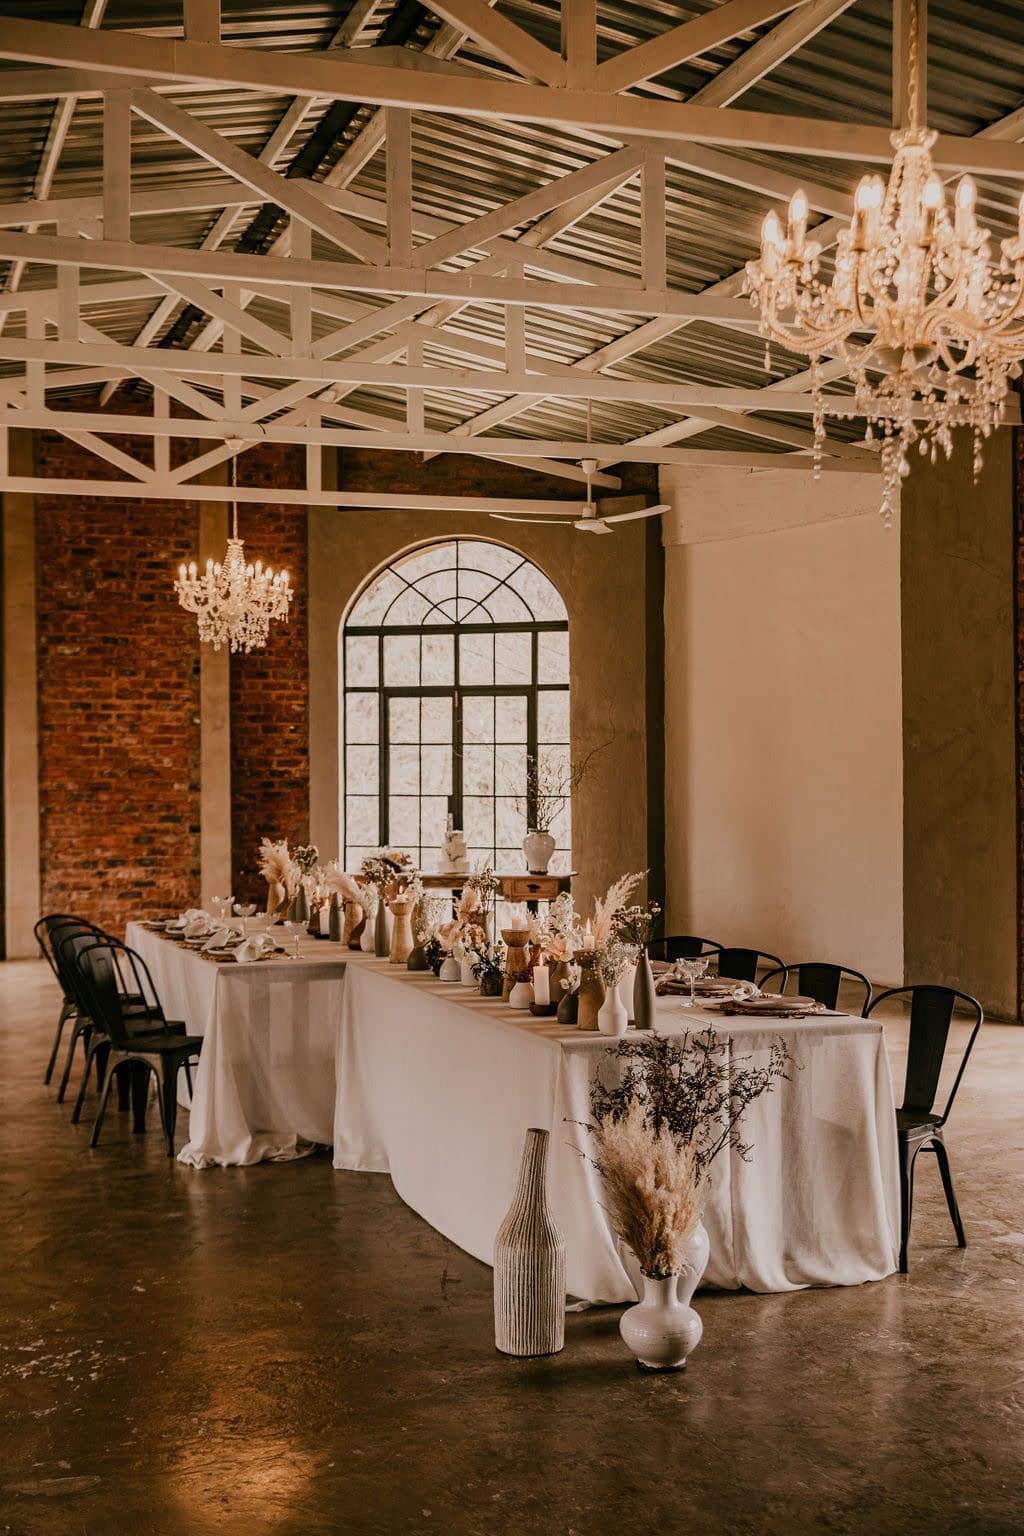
(530, 1263)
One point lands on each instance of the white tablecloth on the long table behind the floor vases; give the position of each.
(438, 1087)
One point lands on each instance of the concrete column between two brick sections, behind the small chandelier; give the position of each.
(216, 760)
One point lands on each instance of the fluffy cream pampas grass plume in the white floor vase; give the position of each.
(653, 1188)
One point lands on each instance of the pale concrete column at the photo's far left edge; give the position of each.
(21, 713)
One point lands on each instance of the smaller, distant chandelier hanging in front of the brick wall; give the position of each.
(234, 601)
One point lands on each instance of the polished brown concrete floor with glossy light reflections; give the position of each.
(286, 1351)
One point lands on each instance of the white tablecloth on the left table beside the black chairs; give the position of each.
(265, 1087)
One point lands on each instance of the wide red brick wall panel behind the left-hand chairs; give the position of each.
(119, 701)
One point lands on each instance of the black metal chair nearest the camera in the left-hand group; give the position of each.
(144, 1039)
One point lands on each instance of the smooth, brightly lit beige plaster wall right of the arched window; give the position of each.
(784, 717)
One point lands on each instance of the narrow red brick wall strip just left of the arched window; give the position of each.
(269, 690)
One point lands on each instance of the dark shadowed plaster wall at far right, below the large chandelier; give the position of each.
(960, 775)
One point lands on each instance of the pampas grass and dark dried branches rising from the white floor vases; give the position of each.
(678, 1102)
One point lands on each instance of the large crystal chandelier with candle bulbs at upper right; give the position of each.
(937, 326)
